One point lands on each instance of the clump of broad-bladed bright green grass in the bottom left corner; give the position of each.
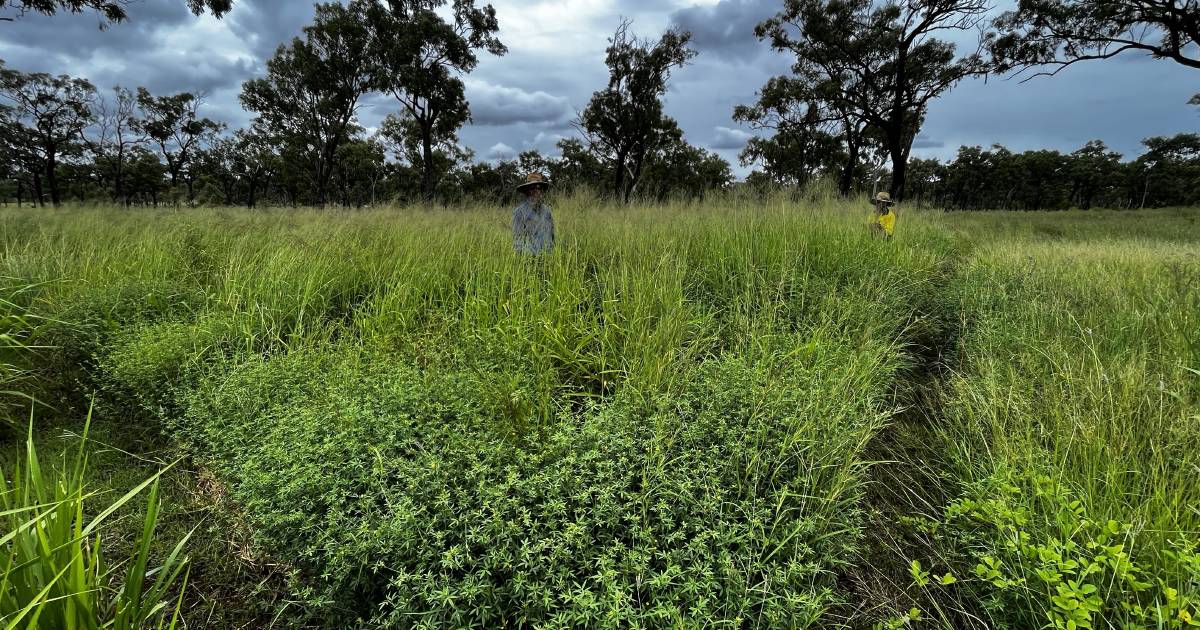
(56, 575)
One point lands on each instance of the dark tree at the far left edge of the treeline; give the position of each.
(51, 112)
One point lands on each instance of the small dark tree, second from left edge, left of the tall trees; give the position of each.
(175, 125)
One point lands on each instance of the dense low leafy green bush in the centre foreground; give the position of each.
(401, 499)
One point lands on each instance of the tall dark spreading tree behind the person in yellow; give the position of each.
(879, 64)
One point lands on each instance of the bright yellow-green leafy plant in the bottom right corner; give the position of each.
(1036, 557)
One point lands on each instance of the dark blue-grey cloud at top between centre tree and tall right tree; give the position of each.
(727, 29)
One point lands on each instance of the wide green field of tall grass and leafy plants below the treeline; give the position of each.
(735, 415)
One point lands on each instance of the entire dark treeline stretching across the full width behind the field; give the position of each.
(856, 99)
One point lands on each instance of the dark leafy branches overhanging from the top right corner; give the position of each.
(1064, 33)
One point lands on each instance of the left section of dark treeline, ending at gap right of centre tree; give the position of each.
(63, 140)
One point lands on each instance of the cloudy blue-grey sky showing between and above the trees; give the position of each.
(556, 61)
